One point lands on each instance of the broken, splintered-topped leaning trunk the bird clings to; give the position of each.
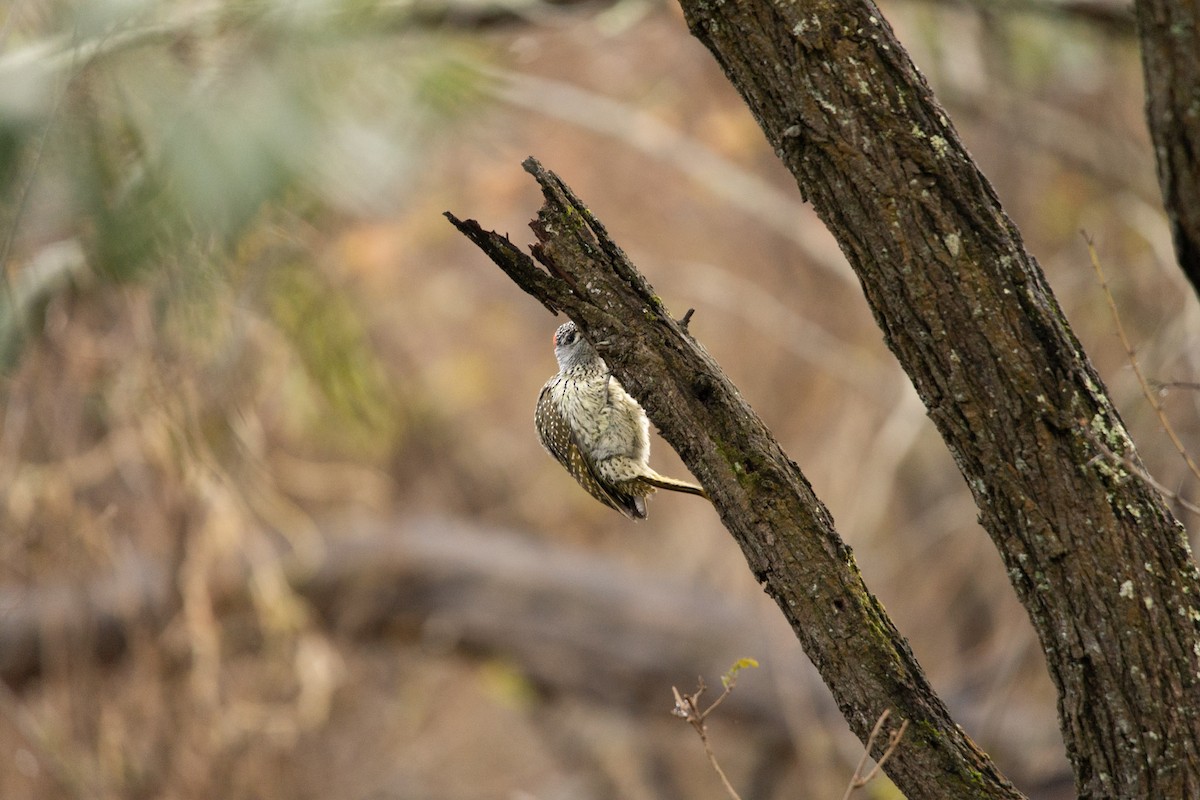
(764, 500)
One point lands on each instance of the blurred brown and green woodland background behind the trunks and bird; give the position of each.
(275, 520)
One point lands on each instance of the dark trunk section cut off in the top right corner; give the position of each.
(1171, 57)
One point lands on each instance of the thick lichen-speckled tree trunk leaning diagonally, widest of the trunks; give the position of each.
(1095, 556)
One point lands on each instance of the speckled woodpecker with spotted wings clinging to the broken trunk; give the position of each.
(598, 431)
